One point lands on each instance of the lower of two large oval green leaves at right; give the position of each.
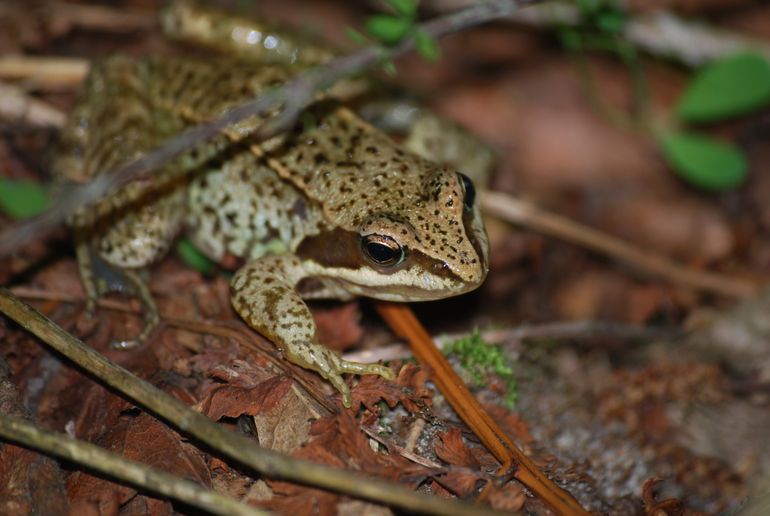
(704, 162)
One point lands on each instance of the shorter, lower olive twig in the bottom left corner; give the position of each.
(112, 465)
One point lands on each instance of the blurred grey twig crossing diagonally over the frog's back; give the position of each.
(295, 95)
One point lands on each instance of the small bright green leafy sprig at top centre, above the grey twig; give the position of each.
(391, 29)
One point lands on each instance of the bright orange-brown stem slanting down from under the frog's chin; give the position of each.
(403, 322)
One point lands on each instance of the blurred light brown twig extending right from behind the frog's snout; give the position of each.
(528, 215)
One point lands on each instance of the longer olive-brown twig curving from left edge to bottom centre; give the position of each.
(226, 443)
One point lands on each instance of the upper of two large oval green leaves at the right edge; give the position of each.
(730, 86)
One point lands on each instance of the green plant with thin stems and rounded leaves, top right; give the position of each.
(731, 86)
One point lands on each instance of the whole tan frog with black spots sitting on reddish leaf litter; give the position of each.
(332, 209)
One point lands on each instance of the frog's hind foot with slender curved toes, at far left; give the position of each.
(100, 278)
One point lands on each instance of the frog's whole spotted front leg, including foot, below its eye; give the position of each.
(264, 293)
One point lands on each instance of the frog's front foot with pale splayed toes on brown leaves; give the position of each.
(331, 366)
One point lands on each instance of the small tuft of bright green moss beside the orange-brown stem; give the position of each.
(480, 359)
